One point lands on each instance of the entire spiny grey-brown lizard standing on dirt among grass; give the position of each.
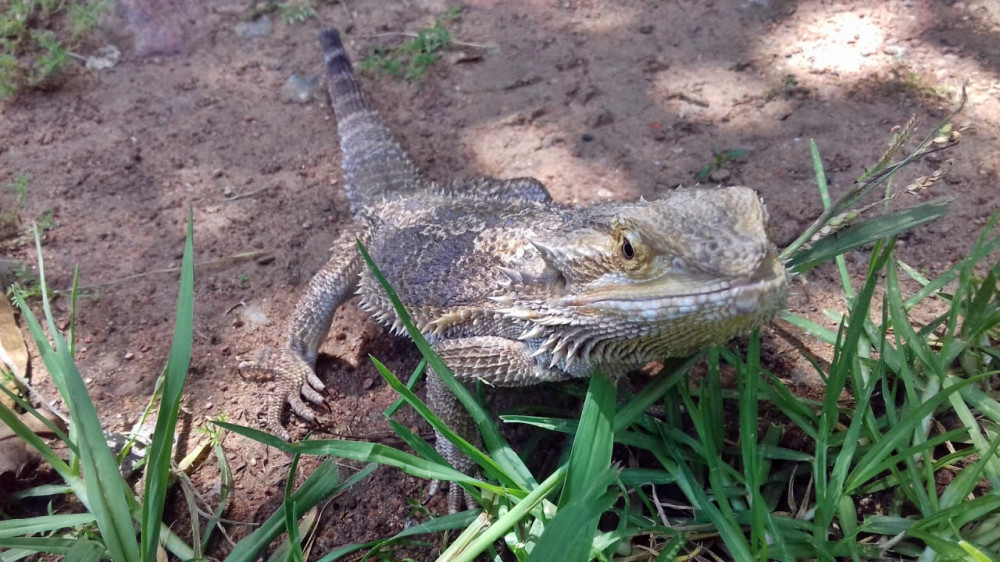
(514, 289)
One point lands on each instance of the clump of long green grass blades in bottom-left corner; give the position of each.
(116, 523)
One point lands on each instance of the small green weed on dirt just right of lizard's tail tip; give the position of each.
(411, 59)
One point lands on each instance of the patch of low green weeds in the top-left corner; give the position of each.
(37, 38)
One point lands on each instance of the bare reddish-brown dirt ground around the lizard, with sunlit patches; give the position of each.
(598, 99)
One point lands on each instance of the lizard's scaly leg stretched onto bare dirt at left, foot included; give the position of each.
(293, 367)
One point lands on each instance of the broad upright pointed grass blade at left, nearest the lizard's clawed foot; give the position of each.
(158, 465)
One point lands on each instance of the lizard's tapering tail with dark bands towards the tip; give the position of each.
(374, 164)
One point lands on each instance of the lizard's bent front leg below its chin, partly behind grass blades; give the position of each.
(497, 362)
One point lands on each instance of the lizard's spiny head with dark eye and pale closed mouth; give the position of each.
(697, 264)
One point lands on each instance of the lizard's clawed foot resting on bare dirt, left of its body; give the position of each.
(294, 379)
